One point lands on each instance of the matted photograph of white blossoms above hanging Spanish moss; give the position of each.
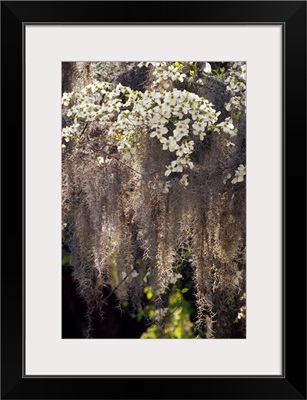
(154, 199)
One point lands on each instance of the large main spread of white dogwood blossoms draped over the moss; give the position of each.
(173, 117)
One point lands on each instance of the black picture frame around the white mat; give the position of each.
(292, 16)
